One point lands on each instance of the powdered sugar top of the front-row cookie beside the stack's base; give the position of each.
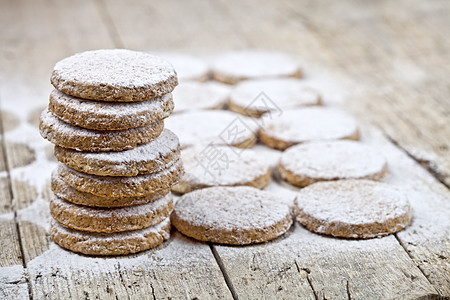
(231, 208)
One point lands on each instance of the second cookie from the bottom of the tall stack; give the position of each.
(110, 219)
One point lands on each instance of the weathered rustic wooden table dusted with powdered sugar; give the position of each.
(391, 60)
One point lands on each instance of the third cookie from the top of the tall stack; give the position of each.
(68, 136)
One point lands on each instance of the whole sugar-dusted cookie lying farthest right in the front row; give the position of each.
(353, 209)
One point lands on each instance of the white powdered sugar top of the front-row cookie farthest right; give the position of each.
(353, 202)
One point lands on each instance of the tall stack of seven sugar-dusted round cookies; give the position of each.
(117, 162)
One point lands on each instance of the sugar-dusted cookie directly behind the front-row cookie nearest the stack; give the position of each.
(216, 165)
